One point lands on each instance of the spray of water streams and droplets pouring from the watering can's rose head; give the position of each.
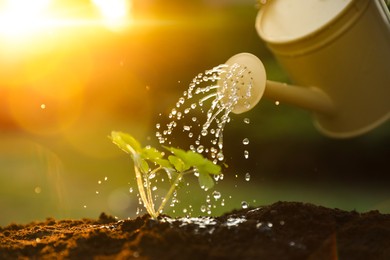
(214, 94)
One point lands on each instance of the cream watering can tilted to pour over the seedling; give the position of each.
(337, 55)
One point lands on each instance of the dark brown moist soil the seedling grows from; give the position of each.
(284, 230)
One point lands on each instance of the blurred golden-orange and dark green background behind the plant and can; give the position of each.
(73, 71)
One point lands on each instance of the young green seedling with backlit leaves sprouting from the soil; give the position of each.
(148, 161)
